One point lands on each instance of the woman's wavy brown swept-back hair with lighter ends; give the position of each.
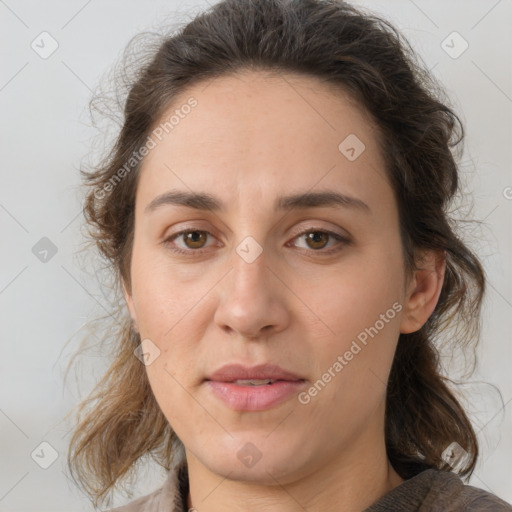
(365, 56)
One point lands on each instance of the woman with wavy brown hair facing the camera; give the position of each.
(275, 211)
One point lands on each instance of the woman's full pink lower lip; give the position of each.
(255, 398)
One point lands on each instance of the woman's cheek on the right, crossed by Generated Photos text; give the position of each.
(360, 306)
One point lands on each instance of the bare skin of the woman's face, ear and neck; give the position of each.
(251, 138)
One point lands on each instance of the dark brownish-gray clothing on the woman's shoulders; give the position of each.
(431, 490)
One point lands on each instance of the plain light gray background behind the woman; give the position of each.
(45, 134)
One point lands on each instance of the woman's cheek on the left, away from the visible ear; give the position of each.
(173, 311)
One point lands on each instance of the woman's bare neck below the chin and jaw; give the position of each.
(349, 482)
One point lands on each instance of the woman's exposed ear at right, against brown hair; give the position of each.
(423, 290)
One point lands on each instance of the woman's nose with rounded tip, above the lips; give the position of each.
(252, 301)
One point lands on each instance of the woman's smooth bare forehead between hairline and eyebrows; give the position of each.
(264, 134)
